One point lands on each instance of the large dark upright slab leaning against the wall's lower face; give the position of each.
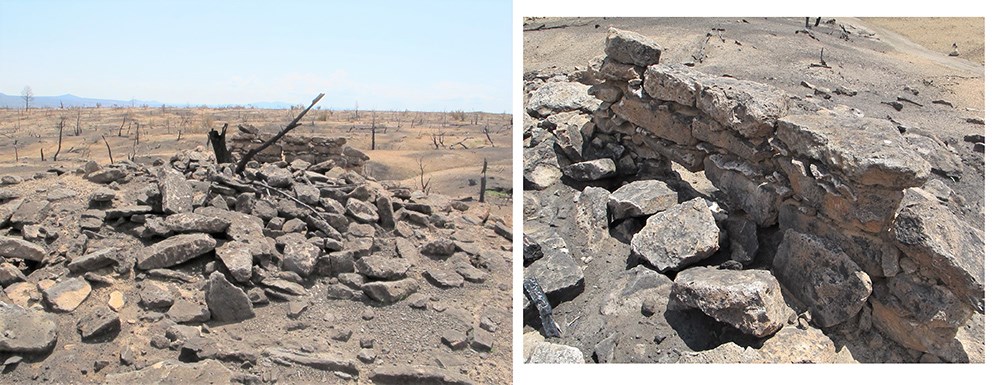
(824, 279)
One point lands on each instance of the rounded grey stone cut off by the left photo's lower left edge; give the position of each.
(26, 331)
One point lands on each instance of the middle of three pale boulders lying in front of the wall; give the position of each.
(678, 237)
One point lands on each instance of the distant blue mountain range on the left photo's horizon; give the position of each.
(16, 101)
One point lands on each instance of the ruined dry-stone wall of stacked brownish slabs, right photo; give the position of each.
(848, 182)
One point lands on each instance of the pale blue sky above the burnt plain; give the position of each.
(418, 55)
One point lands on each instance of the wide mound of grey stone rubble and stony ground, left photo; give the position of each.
(183, 270)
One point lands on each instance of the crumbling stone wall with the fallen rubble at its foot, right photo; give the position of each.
(807, 207)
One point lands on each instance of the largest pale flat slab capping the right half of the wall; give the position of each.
(865, 150)
